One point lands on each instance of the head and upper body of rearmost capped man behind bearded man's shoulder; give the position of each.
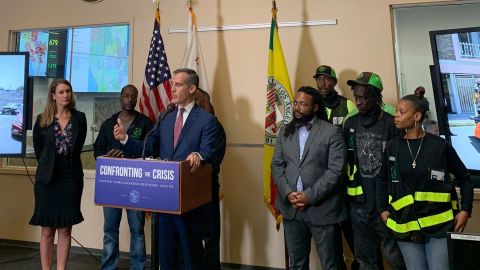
(336, 106)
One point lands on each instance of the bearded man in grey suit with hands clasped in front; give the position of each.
(308, 159)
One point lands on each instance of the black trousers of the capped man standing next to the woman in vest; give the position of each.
(369, 232)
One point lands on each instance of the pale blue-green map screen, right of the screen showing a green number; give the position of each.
(97, 60)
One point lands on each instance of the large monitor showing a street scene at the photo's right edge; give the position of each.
(456, 56)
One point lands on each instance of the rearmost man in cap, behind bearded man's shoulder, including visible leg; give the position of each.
(337, 108)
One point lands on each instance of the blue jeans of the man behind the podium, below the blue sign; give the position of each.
(111, 225)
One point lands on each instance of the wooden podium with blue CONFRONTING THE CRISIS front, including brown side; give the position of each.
(151, 185)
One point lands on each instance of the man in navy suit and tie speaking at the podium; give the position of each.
(187, 133)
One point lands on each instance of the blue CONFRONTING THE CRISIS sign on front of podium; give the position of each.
(141, 184)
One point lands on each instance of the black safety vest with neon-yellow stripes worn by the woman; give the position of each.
(425, 207)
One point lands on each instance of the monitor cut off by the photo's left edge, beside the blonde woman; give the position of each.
(13, 92)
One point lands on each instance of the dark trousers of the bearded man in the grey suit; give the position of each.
(327, 238)
